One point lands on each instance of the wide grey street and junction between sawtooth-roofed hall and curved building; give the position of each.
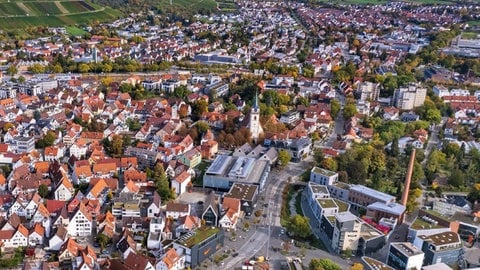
(256, 242)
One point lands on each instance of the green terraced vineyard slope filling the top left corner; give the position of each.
(21, 14)
